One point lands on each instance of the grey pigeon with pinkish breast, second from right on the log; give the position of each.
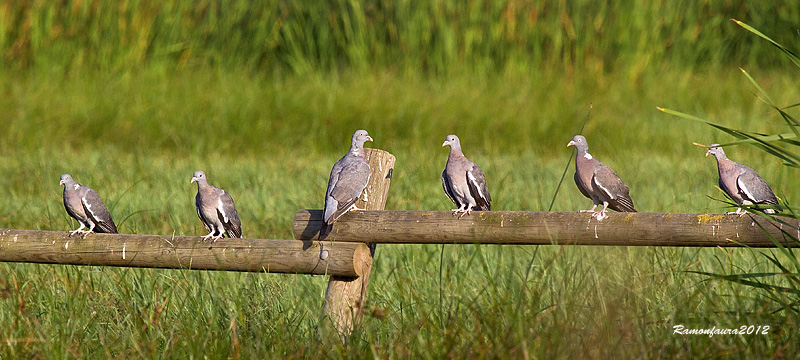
(598, 182)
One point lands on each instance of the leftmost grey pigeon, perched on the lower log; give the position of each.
(84, 205)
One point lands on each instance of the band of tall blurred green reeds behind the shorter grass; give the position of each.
(436, 37)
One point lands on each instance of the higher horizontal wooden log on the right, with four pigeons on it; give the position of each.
(545, 228)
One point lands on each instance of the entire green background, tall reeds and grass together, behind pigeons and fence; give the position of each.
(132, 97)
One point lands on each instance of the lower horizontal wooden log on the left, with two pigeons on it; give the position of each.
(184, 252)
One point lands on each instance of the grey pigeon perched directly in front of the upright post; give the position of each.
(349, 177)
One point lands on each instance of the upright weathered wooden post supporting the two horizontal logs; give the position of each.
(344, 298)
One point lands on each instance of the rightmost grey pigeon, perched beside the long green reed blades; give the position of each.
(742, 183)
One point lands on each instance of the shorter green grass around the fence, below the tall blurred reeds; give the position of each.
(271, 142)
